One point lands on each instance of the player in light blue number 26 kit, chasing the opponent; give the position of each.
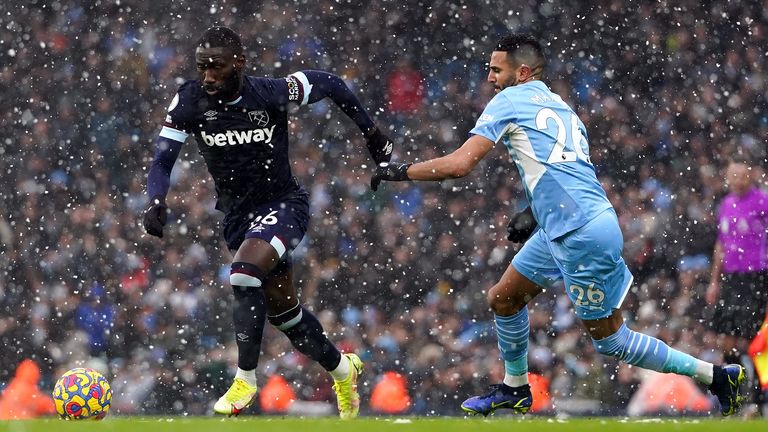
(578, 242)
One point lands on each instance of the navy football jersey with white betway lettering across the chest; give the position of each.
(244, 142)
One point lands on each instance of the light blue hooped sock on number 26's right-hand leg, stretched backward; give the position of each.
(650, 353)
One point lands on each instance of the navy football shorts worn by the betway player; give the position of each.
(281, 223)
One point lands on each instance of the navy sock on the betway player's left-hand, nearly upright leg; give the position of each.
(248, 312)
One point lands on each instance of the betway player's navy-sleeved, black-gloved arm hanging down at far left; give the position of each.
(158, 182)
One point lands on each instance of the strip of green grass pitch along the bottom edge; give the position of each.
(388, 424)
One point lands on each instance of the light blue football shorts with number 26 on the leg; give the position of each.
(587, 260)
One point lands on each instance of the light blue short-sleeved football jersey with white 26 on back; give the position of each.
(548, 143)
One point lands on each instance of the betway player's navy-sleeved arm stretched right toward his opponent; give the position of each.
(323, 84)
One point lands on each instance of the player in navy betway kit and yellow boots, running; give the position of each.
(240, 125)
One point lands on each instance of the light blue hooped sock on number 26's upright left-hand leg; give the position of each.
(512, 332)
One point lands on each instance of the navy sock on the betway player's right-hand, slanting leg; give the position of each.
(307, 336)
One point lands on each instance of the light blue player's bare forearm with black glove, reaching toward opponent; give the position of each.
(454, 165)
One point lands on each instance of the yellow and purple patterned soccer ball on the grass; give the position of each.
(82, 393)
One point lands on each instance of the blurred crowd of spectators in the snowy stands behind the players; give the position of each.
(667, 92)
